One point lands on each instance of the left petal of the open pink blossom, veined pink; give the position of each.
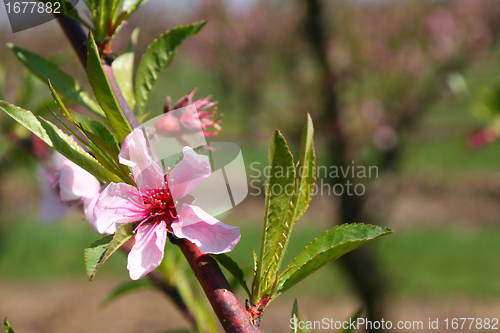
(118, 203)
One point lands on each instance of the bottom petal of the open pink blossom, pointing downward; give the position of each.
(147, 252)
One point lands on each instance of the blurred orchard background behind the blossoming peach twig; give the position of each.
(409, 87)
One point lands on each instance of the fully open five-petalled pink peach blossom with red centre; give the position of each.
(161, 204)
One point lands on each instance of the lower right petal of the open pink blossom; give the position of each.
(208, 233)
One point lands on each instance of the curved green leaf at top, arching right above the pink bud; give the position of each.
(157, 57)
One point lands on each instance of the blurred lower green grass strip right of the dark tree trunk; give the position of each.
(440, 262)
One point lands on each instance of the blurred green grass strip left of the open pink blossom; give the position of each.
(32, 251)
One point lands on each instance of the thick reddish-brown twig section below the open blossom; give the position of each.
(233, 317)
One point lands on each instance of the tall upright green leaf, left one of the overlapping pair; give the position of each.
(279, 192)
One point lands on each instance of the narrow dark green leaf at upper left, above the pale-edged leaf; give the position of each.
(61, 81)
